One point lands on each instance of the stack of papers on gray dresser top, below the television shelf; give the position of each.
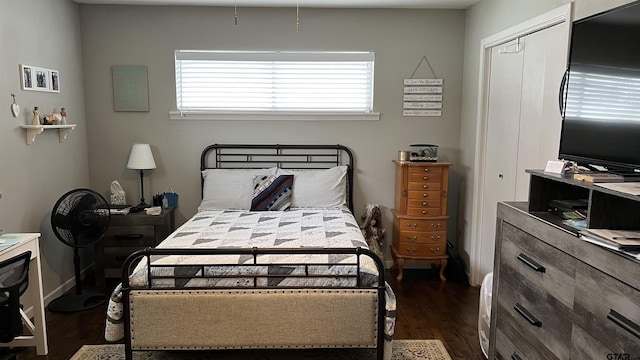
(625, 241)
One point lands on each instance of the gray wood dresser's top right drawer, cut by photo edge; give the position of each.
(608, 309)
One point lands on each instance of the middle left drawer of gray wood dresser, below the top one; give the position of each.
(546, 324)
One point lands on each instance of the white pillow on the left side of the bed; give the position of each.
(229, 188)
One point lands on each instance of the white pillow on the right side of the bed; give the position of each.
(313, 188)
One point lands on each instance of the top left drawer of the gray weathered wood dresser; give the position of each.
(537, 265)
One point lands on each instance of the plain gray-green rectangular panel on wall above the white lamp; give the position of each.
(130, 88)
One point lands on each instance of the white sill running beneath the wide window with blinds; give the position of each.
(283, 115)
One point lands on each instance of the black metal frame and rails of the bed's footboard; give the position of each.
(254, 273)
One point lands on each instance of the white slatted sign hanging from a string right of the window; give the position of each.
(422, 97)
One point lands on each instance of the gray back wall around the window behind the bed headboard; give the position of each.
(149, 35)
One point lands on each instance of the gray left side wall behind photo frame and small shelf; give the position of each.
(33, 177)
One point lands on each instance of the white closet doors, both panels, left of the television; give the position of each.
(523, 127)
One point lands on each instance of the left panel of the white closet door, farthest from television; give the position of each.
(502, 138)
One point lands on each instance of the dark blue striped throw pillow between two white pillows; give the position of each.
(271, 192)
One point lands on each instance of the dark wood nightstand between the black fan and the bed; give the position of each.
(126, 234)
